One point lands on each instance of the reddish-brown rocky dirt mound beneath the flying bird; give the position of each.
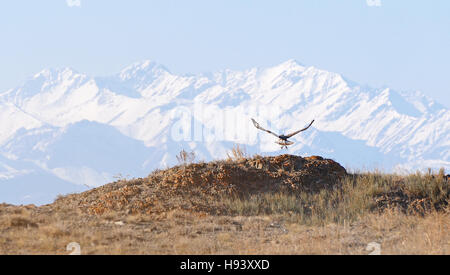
(194, 186)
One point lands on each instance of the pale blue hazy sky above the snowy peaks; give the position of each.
(404, 44)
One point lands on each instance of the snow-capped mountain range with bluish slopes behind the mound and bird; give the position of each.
(62, 130)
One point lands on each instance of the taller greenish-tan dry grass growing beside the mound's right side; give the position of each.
(356, 196)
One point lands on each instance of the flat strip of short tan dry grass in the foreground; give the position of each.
(182, 232)
